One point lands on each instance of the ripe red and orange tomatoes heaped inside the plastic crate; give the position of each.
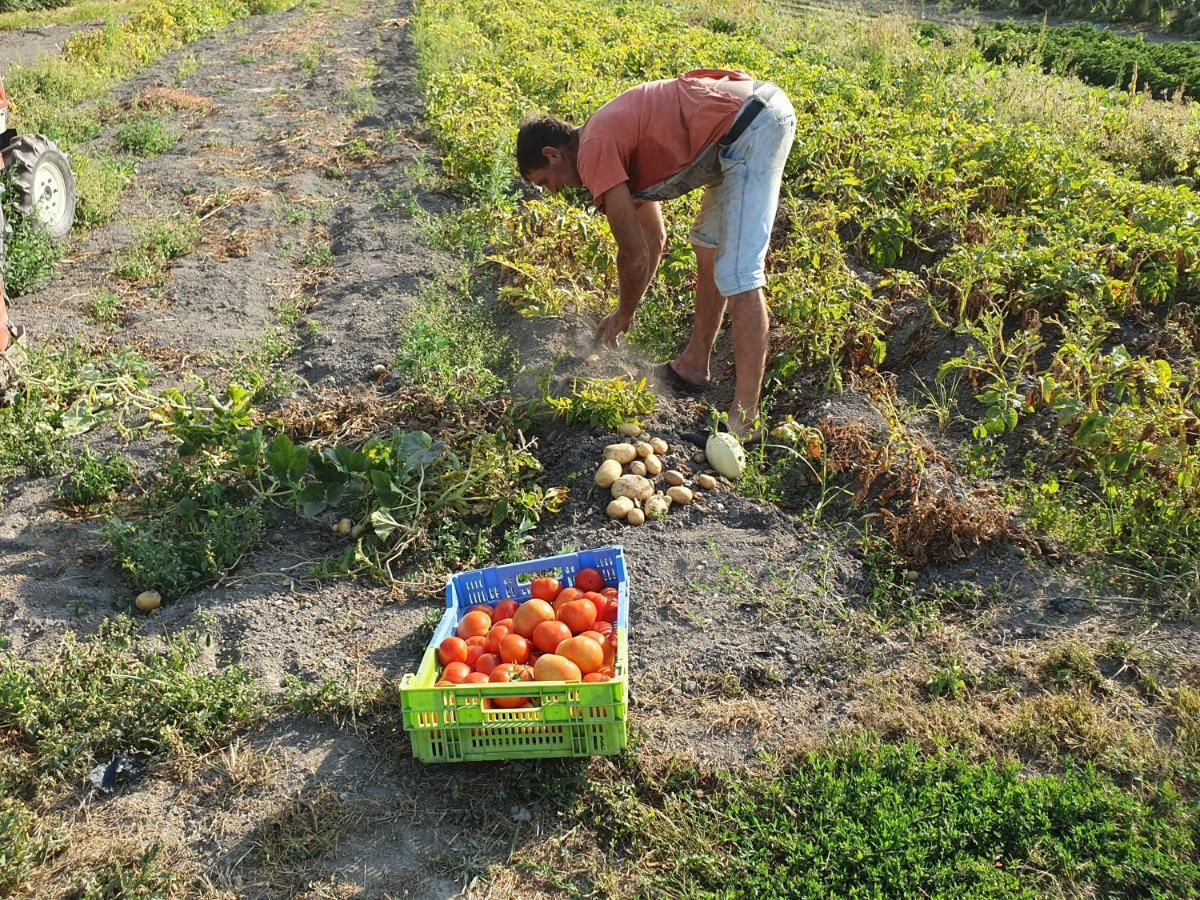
(557, 635)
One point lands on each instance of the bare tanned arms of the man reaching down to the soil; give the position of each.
(637, 260)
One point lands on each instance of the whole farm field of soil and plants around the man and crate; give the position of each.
(939, 640)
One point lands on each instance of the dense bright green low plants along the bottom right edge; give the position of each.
(887, 821)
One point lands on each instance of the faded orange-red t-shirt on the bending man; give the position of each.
(656, 130)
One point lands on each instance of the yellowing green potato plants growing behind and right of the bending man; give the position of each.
(1031, 249)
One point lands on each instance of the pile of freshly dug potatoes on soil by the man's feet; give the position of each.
(629, 472)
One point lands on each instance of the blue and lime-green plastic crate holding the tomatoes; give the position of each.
(568, 719)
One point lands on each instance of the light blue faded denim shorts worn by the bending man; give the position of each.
(739, 213)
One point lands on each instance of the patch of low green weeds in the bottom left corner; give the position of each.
(111, 693)
